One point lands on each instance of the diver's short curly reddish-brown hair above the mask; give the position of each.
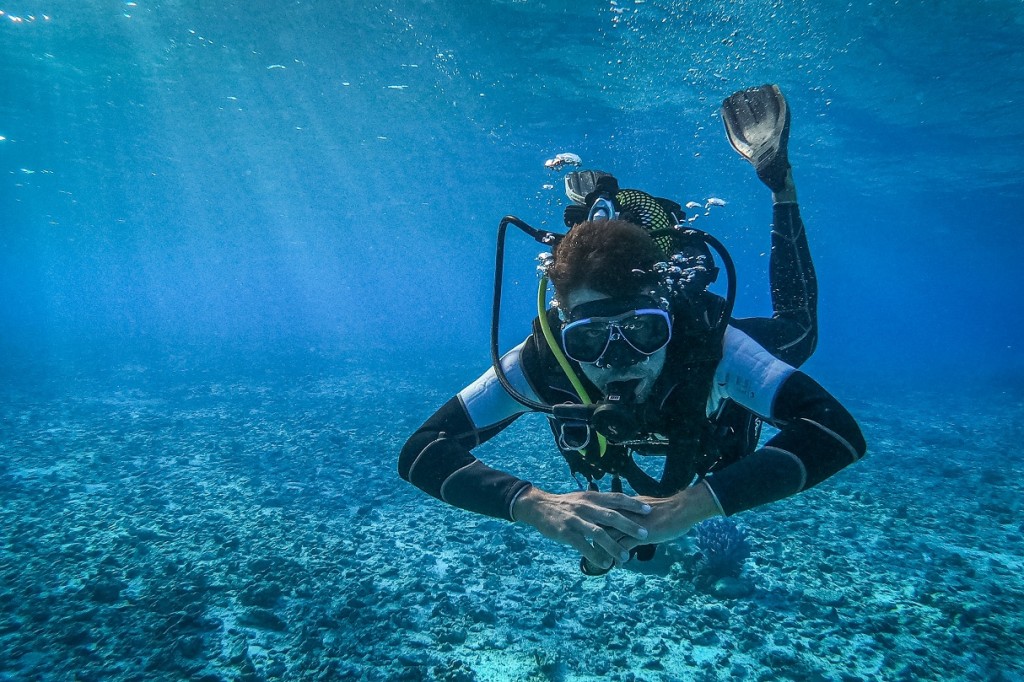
(603, 255)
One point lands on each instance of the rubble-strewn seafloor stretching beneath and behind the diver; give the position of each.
(177, 522)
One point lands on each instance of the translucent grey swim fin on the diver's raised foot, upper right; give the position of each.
(757, 121)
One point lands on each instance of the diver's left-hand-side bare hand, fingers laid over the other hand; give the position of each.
(586, 522)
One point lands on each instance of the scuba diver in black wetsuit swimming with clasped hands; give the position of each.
(635, 357)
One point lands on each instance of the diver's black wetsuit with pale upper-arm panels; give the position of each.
(705, 410)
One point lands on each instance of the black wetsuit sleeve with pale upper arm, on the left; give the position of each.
(438, 459)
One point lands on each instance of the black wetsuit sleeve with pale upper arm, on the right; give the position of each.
(818, 437)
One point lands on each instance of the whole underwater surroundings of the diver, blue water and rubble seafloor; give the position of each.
(247, 248)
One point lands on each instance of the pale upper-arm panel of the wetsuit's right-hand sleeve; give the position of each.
(748, 374)
